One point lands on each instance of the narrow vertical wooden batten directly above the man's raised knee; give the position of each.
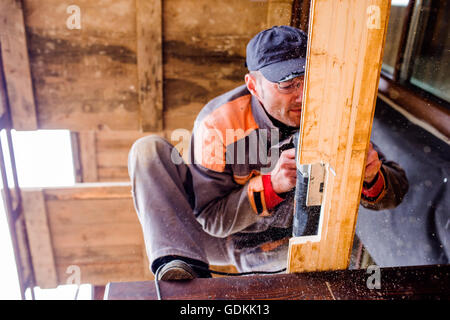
(149, 63)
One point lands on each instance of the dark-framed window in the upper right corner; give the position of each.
(417, 49)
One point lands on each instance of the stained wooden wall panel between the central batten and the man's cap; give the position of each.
(193, 46)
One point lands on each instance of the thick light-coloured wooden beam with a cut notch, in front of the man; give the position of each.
(345, 50)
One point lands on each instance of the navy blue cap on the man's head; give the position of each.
(279, 53)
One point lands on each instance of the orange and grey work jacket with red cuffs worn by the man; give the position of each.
(234, 146)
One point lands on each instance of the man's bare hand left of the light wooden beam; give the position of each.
(284, 175)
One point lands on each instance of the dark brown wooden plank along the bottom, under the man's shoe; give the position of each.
(404, 283)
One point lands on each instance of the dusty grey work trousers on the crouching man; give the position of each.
(163, 198)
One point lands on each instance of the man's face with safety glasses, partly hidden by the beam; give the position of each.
(283, 101)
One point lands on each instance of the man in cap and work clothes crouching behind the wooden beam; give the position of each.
(233, 203)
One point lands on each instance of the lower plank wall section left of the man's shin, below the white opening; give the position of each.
(93, 227)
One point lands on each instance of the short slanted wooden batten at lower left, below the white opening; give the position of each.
(38, 231)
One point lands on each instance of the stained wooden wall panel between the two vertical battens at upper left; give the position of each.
(85, 79)
